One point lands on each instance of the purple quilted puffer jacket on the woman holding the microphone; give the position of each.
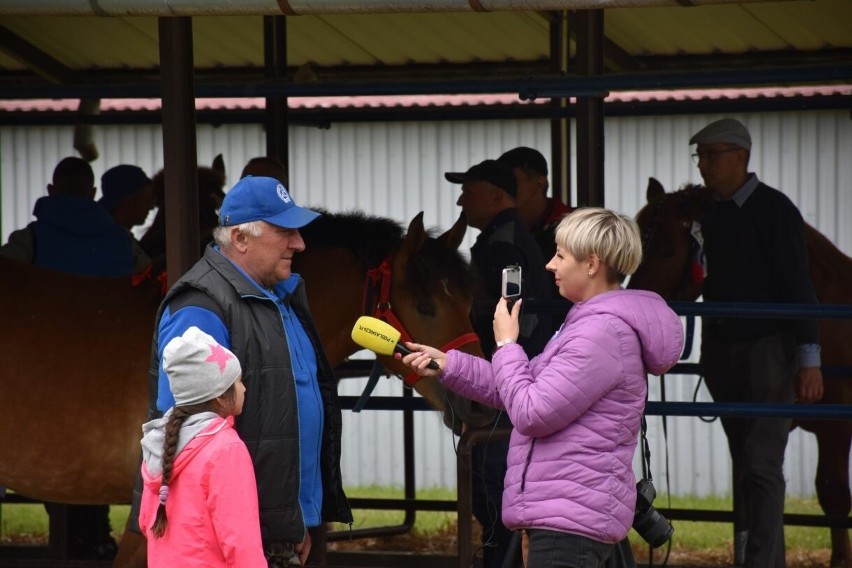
(576, 409)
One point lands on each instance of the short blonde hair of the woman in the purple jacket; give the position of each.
(612, 237)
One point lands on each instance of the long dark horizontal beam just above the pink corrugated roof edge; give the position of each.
(123, 83)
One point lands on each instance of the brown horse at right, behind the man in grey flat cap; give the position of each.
(669, 268)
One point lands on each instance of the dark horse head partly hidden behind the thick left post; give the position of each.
(211, 182)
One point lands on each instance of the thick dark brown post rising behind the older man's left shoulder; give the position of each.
(183, 242)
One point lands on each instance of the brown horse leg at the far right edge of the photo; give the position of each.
(832, 483)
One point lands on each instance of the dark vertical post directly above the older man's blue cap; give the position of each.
(275, 63)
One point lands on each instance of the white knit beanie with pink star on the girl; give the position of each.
(199, 369)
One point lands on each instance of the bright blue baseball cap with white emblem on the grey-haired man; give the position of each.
(263, 199)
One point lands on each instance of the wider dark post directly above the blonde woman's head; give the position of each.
(590, 132)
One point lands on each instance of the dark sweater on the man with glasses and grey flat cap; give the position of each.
(756, 252)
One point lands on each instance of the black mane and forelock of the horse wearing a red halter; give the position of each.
(371, 238)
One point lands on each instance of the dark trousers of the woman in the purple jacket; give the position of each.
(552, 549)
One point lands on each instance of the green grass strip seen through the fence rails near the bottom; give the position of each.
(24, 521)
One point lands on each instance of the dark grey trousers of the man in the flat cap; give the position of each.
(761, 370)
